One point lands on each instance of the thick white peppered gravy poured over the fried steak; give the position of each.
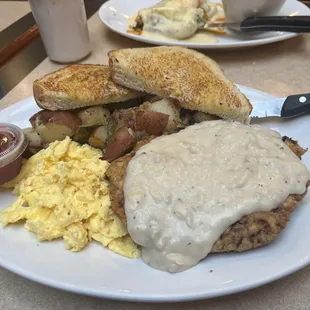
(184, 190)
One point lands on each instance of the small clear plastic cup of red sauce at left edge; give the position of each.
(13, 143)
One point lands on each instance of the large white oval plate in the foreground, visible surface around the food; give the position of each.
(99, 272)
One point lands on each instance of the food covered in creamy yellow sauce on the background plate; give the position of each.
(178, 20)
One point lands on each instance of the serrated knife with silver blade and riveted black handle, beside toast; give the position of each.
(289, 107)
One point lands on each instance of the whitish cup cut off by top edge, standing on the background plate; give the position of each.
(238, 10)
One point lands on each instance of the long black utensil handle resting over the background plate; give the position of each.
(276, 23)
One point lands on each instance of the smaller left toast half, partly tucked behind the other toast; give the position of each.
(78, 86)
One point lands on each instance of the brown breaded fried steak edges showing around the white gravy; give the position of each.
(251, 231)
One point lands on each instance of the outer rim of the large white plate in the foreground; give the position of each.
(158, 298)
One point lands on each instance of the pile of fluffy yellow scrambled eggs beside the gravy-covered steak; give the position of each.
(62, 192)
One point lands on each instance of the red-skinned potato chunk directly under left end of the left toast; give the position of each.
(52, 126)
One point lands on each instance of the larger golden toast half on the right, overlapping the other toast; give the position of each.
(192, 78)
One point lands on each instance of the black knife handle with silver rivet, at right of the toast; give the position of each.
(296, 105)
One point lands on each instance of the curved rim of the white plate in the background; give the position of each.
(206, 46)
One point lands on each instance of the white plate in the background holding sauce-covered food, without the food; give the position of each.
(114, 14)
